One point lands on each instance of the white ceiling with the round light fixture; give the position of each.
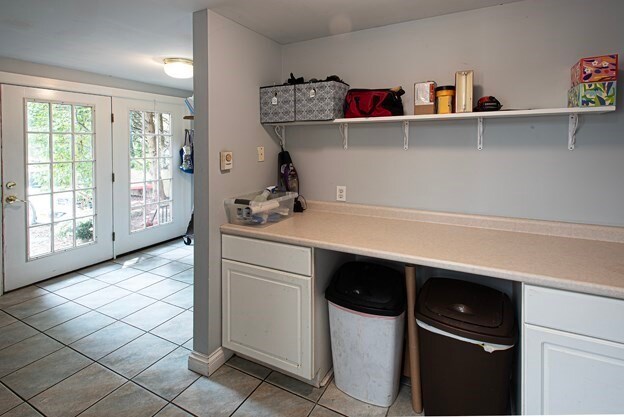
(129, 38)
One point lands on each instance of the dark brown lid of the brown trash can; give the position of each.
(467, 309)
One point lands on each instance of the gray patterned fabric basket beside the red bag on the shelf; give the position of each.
(320, 101)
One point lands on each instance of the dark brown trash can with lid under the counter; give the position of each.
(467, 334)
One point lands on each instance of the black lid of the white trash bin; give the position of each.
(368, 288)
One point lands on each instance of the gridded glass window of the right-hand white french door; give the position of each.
(151, 161)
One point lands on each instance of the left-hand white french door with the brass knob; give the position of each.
(56, 183)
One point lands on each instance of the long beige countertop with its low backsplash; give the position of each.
(514, 249)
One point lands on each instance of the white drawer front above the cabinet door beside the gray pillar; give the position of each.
(289, 258)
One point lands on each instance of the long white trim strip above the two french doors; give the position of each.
(52, 84)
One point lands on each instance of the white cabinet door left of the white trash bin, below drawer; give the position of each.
(267, 316)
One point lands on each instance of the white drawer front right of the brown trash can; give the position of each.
(584, 314)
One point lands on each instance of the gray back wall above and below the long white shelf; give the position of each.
(522, 54)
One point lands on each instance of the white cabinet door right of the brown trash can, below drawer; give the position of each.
(572, 374)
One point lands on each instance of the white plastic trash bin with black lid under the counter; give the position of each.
(366, 321)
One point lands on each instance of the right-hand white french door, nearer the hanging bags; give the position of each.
(153, 198)
